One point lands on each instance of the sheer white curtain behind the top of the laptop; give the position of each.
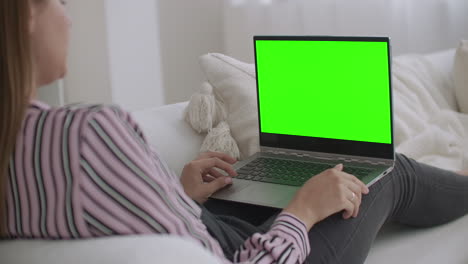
(414, 25)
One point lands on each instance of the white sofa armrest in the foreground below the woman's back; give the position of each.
(111, 250)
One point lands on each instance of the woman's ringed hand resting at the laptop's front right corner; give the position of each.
(327, 193)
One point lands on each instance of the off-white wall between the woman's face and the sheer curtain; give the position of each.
(140, 53)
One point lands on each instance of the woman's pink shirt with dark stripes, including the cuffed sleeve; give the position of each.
(85, 171)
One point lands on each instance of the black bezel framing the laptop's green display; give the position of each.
(326, 145)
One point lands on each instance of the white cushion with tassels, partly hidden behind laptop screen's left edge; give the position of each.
(234, 84)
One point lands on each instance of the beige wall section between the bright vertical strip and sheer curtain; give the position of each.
(188, 29)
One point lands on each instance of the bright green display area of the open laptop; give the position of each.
(325, 89)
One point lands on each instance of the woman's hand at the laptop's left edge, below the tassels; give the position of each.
(201, 177)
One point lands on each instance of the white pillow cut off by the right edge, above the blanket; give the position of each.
(461, 76)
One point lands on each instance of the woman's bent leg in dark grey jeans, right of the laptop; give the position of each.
(413, 194)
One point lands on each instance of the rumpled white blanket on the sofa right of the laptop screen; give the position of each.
(428, 127)
